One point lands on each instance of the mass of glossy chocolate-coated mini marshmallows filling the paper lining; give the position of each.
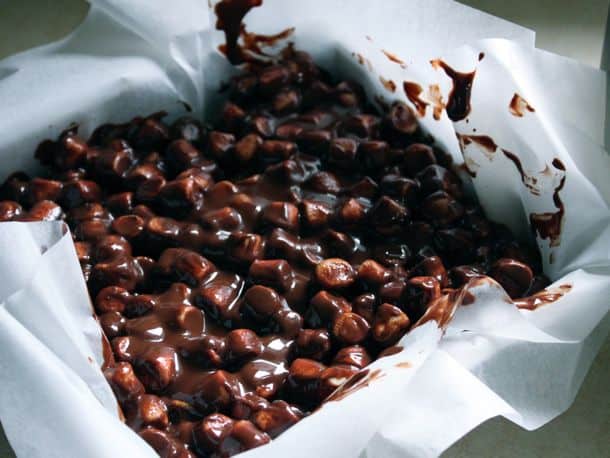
(243, 270)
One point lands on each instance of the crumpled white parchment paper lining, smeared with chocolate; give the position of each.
(141, 56)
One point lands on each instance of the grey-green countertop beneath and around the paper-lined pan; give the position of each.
(569, 27)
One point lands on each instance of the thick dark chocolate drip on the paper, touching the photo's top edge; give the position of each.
(230, 14)
